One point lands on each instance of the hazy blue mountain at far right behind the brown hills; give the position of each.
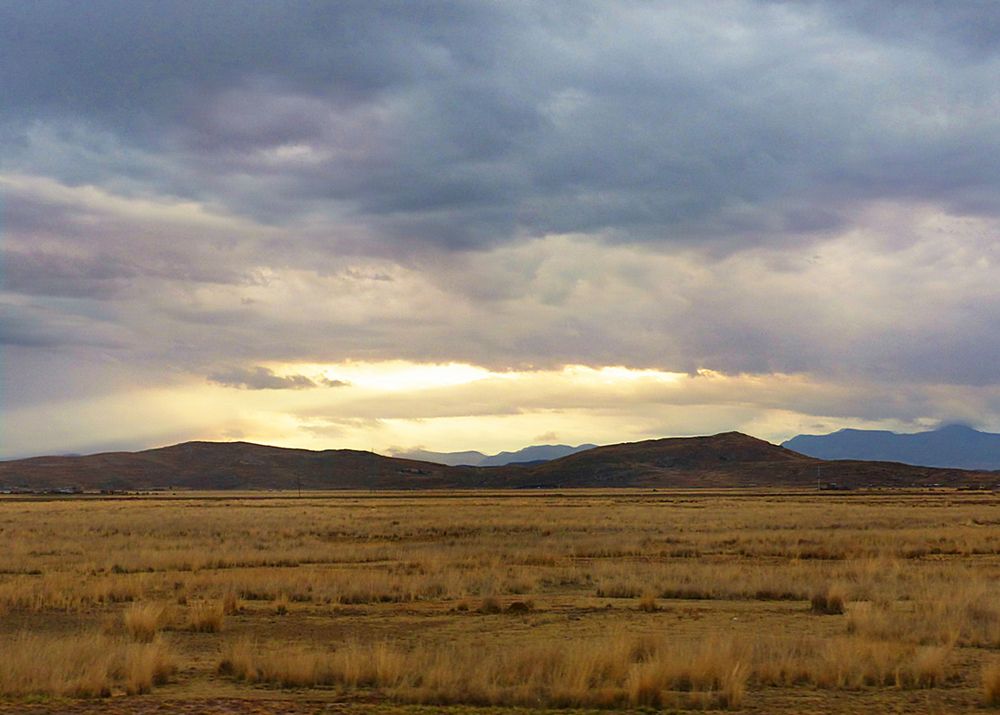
(957, 446)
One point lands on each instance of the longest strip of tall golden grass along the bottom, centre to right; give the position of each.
(606, 672)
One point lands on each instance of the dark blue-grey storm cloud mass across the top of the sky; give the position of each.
(462, 125)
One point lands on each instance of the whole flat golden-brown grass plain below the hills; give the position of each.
(484, 602)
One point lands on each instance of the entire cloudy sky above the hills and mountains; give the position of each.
(483, 225)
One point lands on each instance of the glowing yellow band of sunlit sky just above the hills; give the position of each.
(395, 405)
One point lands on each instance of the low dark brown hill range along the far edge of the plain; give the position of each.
(725, 460)
